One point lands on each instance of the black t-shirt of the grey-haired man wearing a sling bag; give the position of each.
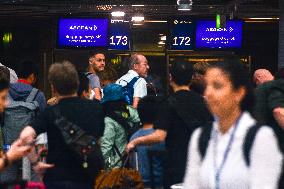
(86, 114)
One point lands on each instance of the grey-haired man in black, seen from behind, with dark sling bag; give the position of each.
(74, 127)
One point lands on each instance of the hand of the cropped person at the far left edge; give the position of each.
(18, 150)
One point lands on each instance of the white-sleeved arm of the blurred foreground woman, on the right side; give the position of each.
(266, 160)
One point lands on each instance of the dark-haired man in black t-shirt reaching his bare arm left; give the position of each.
(178, 116)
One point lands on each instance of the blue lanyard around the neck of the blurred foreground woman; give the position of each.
(218, 170)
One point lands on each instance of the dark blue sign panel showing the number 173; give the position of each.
(119, 36)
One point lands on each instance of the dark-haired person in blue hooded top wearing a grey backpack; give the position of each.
(25, 102)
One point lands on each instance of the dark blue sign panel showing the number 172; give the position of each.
(182, 35)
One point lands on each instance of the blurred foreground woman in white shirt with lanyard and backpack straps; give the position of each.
(219, 156)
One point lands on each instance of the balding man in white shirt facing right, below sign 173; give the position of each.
(138, 67)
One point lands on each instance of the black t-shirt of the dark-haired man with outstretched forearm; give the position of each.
(192, 107)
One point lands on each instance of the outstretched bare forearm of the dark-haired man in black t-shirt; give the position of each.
(158, 136)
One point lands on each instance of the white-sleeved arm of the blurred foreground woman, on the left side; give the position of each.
(192, 173)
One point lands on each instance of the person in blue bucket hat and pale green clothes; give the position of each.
(120, 117)
